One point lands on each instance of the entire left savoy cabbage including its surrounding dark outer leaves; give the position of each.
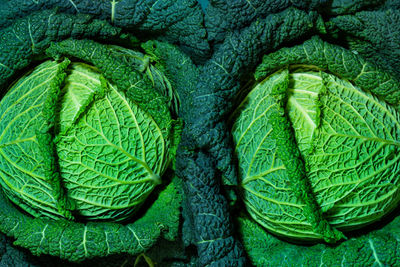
(89, 129)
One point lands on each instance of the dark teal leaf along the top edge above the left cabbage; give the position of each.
(178, 22)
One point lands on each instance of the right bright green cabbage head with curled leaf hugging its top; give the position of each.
(318, 143)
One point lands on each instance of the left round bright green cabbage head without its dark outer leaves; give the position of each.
(72, 142)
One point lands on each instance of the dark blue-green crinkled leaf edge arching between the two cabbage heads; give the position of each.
(205, 109)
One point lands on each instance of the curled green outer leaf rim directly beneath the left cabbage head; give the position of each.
(77, 241)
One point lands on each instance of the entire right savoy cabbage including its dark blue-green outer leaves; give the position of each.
(306, 193)
